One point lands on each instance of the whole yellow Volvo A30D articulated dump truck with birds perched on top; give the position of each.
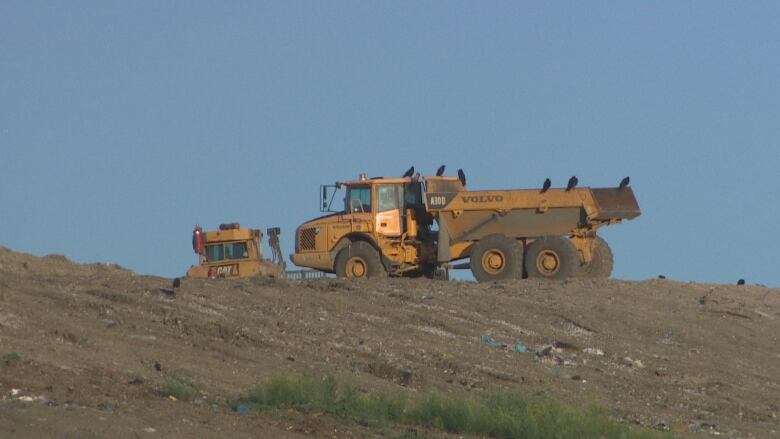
(412, 226)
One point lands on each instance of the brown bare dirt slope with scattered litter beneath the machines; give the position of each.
(79, 345)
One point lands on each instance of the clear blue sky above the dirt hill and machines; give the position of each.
(122, 124)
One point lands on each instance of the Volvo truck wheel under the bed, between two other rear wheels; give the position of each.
(551, 257)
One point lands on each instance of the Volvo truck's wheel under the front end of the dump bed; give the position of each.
(497, 257)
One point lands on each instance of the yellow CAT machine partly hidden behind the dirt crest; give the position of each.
(231, 252)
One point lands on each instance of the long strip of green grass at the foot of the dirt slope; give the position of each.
(495, 414)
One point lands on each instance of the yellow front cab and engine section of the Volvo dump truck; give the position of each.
(383, 215)
